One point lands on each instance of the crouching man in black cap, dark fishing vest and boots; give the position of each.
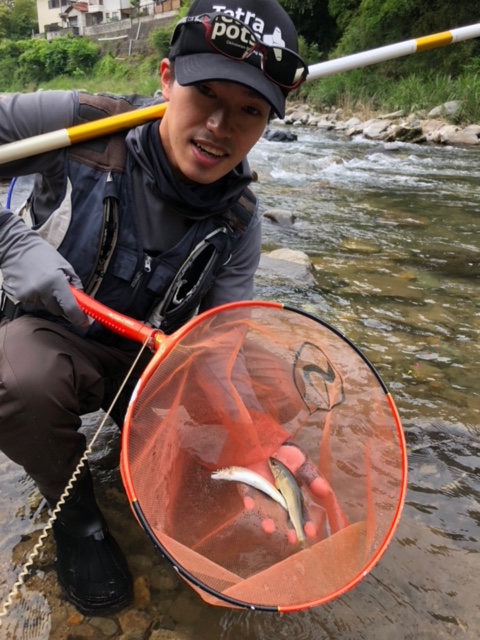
(119, 217)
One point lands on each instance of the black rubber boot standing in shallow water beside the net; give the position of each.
(91, 567)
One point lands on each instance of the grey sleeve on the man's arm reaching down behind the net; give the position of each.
(234, 282)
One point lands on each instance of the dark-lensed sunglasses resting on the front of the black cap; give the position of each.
(235, 40)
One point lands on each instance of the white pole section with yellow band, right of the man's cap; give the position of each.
(373, 56)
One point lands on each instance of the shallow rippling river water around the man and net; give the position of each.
(394, 234)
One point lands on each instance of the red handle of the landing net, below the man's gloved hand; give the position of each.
(117, 322)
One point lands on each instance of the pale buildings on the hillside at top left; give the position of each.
(60, 17)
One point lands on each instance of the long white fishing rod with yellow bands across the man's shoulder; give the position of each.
(80, 133)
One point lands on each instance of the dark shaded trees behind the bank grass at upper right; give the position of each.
(342, 27)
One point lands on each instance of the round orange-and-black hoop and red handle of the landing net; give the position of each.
(165, 345)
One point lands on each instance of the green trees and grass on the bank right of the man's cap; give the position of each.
(336, 28)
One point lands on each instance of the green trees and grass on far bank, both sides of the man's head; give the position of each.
(328, 29)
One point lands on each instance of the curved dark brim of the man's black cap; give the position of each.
(207, 67)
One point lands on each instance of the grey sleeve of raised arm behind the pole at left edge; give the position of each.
(26, 115)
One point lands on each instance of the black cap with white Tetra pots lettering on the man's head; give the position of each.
(196, 61)
